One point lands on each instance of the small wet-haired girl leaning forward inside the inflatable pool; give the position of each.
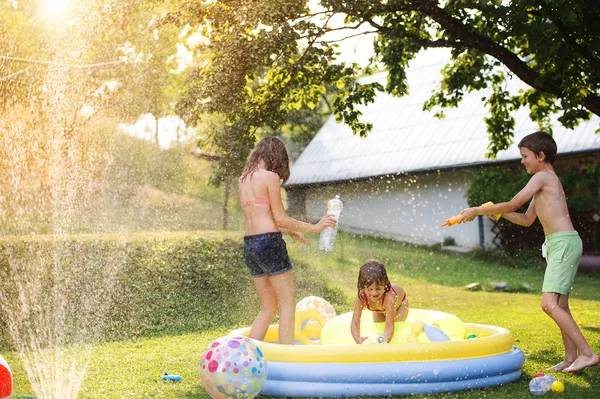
(386, 300)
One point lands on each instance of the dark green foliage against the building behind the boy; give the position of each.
(580, 180)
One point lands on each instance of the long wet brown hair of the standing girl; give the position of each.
(274, 152)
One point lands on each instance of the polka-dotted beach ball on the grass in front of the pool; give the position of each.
(233, 367)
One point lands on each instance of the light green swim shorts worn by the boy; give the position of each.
(562, 260)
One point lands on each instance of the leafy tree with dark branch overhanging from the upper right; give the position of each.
(272, 56)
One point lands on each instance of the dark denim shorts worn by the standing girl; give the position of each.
(266, 254)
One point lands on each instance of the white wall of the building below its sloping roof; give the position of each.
(407, 208)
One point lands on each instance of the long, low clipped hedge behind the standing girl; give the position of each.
(90, 288)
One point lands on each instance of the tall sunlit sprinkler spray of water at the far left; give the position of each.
(55, 295)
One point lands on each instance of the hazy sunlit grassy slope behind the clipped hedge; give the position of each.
(111, 182)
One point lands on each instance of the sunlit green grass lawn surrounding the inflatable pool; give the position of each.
(433, 280)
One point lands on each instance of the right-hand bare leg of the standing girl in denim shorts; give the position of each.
(283, 286)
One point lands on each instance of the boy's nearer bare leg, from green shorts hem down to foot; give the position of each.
(565, 322)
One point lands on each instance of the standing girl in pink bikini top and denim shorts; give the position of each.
(265, 252)
